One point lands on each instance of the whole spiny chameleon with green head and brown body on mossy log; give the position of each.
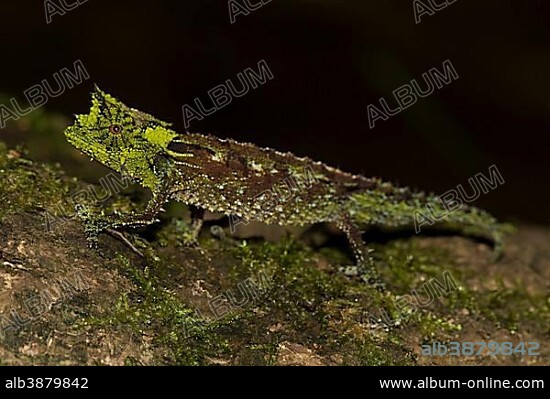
(225, 176)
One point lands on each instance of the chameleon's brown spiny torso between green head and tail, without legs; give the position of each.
(258, 183)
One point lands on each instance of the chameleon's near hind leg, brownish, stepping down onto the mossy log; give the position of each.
(364, 267)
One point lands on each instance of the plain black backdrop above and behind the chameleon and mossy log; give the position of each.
(331, 59)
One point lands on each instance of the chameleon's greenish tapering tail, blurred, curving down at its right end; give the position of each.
(400, 208)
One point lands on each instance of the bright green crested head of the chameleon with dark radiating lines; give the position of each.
(122, 138)
